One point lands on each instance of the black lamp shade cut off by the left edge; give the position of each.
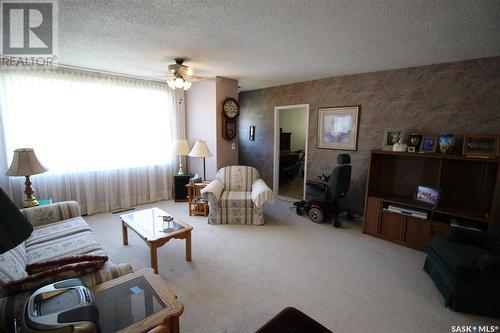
(14, 227)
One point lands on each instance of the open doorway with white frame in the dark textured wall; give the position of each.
(291, 129)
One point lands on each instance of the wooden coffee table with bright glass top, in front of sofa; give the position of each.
(149, 225)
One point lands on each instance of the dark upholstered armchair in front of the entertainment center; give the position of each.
(465, 267)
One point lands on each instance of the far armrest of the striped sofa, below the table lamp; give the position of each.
(42, 215)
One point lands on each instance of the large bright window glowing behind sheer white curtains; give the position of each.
(77, 122)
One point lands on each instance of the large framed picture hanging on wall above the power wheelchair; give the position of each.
(338, 128)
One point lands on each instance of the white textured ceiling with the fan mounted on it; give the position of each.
(265, 43)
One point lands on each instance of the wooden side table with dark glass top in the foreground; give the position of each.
(137, 302)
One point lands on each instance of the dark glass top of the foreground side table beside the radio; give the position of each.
(125, 304)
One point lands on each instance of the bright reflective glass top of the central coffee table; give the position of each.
(150, 223)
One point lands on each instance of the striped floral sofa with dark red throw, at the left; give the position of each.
(58, 231)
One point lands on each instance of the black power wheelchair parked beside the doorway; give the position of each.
(331, 189)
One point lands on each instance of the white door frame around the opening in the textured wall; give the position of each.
(277, 109)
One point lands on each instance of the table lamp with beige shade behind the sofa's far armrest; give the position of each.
(25, 163)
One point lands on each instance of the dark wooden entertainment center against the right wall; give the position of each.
(469, 194)
